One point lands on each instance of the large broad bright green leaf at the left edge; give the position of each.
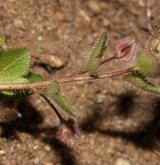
(14, 65)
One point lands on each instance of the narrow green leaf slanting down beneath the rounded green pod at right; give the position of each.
(139, 81)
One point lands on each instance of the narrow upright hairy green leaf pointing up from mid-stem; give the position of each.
(96, 54)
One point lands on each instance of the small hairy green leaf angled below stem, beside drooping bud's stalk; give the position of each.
(64, 103)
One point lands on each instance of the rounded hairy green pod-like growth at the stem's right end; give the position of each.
(148, 64)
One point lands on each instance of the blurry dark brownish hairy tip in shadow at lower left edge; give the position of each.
(7, 114)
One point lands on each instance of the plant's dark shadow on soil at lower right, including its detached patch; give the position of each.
(146, 137)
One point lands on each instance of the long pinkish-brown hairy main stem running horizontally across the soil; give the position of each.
(68, 79)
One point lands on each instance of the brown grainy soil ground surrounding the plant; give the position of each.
(119, 124)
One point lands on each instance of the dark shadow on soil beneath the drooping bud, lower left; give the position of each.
(30, 123)
